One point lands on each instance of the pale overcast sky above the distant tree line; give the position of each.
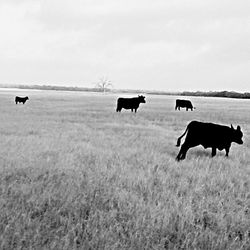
(169, 45)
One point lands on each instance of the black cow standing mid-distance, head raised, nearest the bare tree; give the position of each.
(130, 103)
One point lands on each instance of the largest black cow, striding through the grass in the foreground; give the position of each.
(209, 135)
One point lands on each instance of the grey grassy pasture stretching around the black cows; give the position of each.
(74, 174)
